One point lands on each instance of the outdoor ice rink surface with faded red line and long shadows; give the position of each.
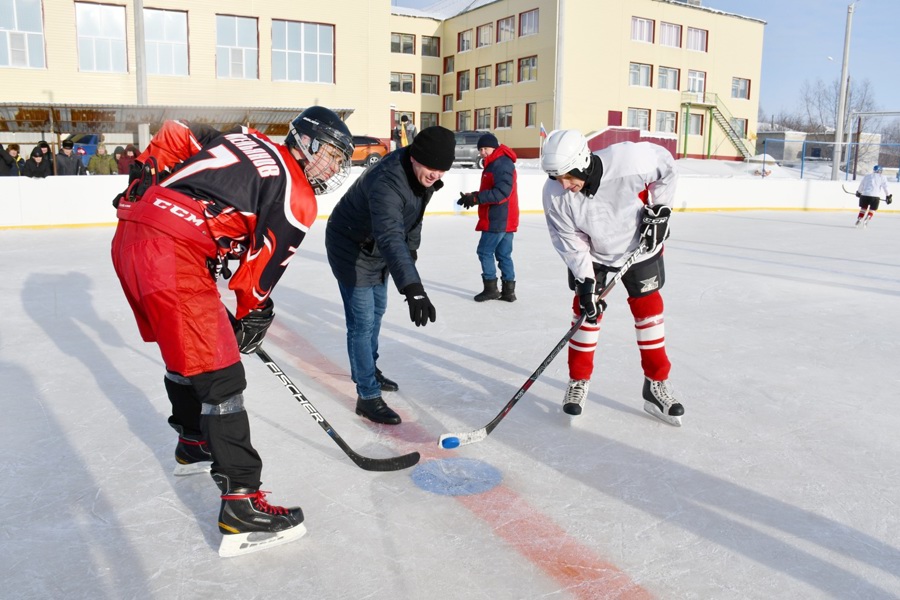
(783, 332)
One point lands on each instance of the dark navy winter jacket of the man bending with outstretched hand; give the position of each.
(376, 227)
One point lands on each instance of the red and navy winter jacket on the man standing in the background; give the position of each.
(498, 198)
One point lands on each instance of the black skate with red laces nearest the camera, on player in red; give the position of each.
(248, 523)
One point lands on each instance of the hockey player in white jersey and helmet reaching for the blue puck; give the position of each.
(600, 208)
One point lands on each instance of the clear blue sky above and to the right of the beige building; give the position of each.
(800, 35)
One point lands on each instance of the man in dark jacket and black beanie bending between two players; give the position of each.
(375, 230)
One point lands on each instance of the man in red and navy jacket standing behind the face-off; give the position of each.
(498, 218)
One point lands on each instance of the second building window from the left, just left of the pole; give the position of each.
(101, 38)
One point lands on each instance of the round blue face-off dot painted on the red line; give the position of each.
(456, 476)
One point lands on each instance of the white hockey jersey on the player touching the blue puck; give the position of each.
(605, 227)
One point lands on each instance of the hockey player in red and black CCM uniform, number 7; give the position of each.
(213, 196)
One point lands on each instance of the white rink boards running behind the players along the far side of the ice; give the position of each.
(72, 201)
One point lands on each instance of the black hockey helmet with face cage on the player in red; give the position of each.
(322, 126)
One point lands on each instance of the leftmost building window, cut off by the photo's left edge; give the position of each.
(21, 34)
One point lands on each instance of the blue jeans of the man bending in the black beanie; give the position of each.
(363, 309)
